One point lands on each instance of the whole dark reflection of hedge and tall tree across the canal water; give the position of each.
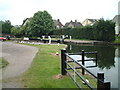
(106, 54)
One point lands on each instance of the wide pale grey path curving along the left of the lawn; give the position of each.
(19, 57)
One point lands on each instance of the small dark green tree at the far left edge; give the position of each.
(6, 27)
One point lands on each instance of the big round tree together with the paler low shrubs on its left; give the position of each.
(40, 24)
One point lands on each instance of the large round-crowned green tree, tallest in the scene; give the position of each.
(41, 24)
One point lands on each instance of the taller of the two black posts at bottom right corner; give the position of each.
(100, 81)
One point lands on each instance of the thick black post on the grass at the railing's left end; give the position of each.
(63, 64)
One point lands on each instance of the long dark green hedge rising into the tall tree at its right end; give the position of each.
(103, 30)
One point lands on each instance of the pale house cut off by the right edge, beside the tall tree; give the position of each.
(116, 19)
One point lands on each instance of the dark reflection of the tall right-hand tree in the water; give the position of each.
(106, 57)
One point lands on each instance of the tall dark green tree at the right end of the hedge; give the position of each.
(104, 30)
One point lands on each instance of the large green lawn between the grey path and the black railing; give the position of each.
(44, 69)
